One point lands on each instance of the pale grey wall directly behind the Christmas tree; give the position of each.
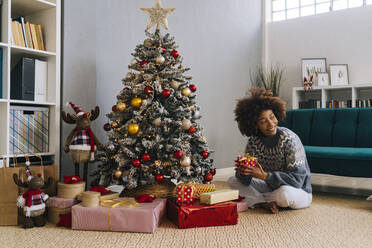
(218, 39)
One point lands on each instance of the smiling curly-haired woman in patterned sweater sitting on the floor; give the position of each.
(282, 176)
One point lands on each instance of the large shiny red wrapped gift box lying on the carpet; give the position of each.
(202, 215)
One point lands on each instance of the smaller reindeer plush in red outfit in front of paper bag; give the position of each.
(33, 201)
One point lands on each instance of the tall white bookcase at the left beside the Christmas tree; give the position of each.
(47, 13)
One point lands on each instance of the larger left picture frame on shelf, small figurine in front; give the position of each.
(311, 67)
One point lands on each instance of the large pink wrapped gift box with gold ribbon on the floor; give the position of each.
(145, 217)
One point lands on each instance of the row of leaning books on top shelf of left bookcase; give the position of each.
(26, 34)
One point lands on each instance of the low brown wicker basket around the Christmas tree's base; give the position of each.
(160, 190)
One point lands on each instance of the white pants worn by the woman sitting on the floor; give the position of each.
(258, 192)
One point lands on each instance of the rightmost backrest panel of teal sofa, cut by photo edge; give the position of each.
(364, 130)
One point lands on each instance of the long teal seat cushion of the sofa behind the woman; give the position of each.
(349, 153)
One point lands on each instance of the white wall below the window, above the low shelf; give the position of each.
(343, 37)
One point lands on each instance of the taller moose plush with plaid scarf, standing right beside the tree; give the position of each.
(81, 143)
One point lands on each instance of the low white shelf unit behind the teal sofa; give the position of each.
(351, 92)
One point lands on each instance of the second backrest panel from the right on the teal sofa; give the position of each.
(344, 130)
